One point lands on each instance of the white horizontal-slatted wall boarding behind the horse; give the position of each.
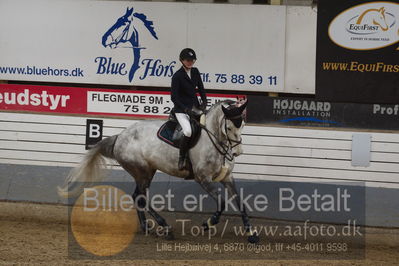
(270, 153)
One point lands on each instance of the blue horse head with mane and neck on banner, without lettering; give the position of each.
(124, 34)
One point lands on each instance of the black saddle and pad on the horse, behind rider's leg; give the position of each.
(171, 131)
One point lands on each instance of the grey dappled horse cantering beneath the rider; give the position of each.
(141, 153)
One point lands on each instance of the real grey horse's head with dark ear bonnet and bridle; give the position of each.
(232, 125)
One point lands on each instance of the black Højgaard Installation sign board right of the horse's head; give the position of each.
(310, 112)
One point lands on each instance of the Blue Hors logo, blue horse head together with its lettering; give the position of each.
(125, 33)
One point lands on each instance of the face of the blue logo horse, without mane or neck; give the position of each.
(119, 32)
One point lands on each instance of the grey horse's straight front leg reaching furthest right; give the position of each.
(231, 187)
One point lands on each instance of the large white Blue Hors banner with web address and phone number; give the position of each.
(239, 47)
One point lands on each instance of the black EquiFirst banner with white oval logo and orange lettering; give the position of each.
(358, 51)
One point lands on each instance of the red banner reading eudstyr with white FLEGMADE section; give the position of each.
(91, 101)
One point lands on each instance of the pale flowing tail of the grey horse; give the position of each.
(90, 169)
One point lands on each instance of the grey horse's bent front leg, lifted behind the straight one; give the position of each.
(212, 190)
